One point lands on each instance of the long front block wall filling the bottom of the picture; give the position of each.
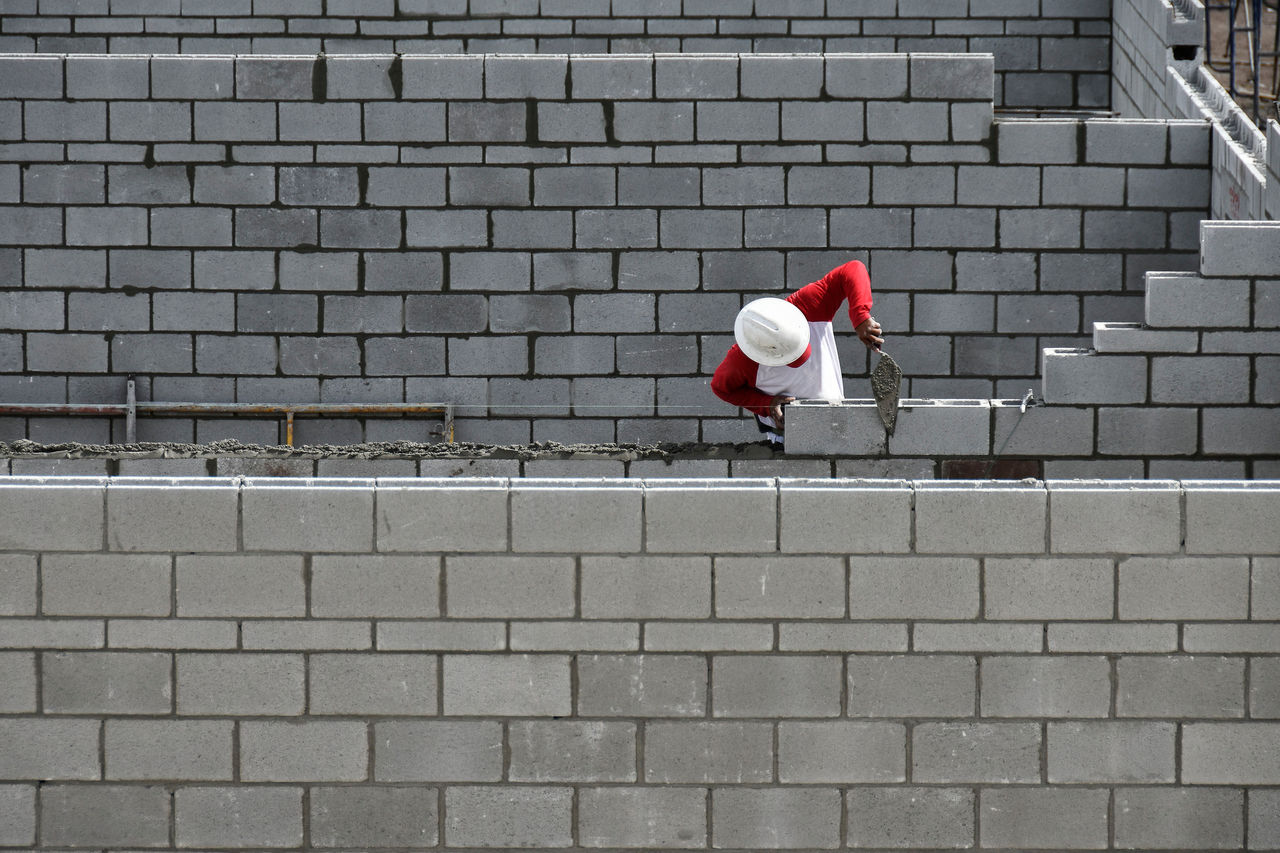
(639, 664)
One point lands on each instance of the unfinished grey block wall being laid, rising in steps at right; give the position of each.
(1194, 390)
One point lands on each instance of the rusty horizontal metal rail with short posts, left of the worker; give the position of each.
(132, 409)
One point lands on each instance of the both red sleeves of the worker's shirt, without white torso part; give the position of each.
(734, 381)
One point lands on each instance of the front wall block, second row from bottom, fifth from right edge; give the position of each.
(708, 752)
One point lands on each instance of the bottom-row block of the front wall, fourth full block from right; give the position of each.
(776, 818)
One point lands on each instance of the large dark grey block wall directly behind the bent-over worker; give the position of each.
(557, 244)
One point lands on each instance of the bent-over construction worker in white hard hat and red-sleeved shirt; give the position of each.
(787, 349)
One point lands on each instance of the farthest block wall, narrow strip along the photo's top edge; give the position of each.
(1049, 53)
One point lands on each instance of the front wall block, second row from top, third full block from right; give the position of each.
(895, 587)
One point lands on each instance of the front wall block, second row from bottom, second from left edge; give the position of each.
(186, 750)
